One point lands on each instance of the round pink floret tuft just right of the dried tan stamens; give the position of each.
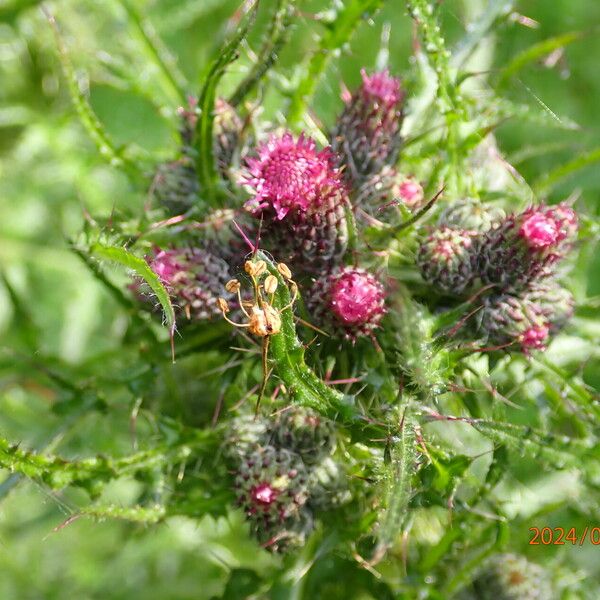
(357, 298)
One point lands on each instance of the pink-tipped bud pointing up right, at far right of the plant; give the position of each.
(522, 247)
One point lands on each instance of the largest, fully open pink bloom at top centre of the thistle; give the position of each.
(290, 175)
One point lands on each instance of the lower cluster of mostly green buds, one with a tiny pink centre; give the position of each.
(284, 468)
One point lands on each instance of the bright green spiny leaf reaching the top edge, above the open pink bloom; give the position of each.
(338, 32)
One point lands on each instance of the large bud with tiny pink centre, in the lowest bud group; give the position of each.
(271, 487)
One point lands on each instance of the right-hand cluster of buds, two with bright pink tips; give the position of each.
(514, 256)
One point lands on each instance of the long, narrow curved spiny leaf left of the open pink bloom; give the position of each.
(205, 159)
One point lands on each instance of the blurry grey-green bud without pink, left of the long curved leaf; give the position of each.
(175, 185)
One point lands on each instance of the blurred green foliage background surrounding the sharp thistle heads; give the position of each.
(86, 376)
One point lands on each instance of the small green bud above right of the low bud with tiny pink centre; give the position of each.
(305, 432)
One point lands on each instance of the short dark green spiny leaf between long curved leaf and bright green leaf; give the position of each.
(276, 38)
